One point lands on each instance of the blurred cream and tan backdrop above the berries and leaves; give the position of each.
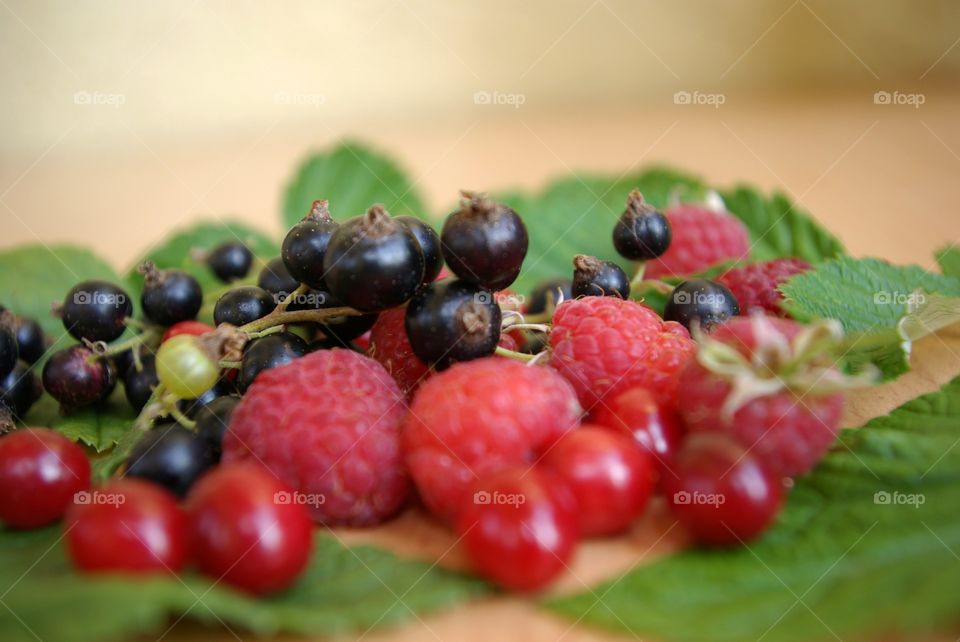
(125, 119)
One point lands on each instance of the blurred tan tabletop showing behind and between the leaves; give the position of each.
(882, 177)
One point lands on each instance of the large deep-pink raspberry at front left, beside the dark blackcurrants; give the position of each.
(328, 425)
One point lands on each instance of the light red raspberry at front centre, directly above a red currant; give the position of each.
(477, 418)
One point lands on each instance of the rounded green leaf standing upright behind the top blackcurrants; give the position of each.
(352, 177)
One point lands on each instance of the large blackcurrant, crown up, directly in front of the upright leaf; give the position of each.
(373, 262)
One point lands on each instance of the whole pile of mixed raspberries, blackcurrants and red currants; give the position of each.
(376, 360)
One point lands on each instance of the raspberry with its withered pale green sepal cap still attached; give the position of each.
(756, 402)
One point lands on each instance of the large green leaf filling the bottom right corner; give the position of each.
(866, 545)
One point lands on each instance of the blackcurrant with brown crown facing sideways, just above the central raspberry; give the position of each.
(451, 320)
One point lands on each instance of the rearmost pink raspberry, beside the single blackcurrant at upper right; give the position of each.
(701, 237)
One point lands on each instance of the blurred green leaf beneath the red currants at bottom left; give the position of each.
(343, 590)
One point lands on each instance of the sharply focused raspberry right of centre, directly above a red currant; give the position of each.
(604, 345)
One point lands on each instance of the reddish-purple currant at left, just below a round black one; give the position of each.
(76, 377)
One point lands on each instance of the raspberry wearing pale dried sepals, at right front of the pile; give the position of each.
(787, 430)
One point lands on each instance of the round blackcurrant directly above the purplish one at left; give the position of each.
(96, 311)
